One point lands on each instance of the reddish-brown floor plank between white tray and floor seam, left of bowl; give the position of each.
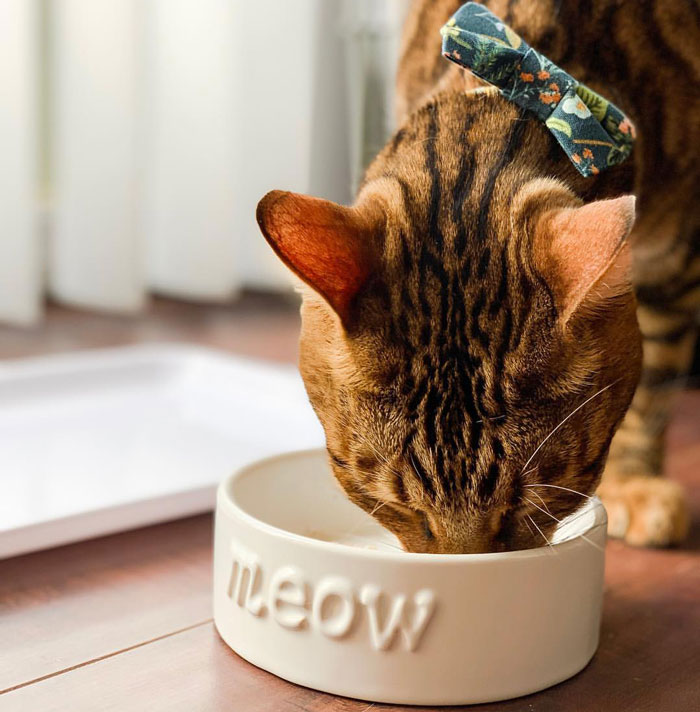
(62, 607)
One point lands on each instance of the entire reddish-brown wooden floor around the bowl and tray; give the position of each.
(124, 622)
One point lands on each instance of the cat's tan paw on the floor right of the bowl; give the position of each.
(645, 511)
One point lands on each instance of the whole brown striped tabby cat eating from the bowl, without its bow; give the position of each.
(471, 325)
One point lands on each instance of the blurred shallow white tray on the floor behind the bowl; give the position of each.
(101, 441)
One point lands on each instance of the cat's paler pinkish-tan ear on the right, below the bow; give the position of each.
(584, 252)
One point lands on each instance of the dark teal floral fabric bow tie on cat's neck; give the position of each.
(593, 132)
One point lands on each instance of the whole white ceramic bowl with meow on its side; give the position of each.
(309, 587)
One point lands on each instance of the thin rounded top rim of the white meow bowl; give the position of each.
(225, 503)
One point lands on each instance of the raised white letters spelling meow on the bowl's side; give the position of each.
(331, 606)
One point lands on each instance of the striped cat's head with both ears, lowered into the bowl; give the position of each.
(469, 339)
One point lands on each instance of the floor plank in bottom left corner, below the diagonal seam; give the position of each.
(191, 671)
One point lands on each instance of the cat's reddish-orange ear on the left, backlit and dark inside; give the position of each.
(326, 245)
